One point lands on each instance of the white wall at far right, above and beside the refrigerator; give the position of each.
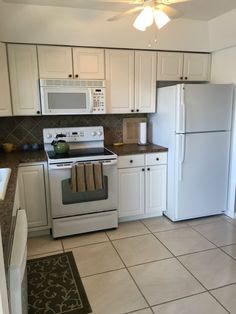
(224, 71)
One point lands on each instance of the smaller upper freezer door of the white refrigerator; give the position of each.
(203, 107)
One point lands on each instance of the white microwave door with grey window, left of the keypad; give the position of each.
(66, 100)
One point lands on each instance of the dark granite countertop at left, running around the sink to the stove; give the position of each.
(12, 160)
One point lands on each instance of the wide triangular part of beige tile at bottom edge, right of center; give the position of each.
(199, 304)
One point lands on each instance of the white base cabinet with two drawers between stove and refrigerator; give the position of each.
(142, 185)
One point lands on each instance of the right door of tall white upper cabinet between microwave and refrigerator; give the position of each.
(145, 81)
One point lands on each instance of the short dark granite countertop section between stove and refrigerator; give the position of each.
(132, 149)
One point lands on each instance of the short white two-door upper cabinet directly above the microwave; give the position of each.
(57, 62)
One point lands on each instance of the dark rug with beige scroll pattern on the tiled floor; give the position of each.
(55, 287)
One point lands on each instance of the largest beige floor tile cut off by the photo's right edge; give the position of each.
(212, 268)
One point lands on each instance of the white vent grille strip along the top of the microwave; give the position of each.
(72, 83)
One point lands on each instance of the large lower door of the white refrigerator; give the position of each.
(202, 174)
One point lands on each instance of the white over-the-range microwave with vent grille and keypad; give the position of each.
(72, 96)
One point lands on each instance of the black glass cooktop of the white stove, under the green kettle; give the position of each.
(86, 152)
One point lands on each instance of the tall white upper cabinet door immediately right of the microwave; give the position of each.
(120, 81)
